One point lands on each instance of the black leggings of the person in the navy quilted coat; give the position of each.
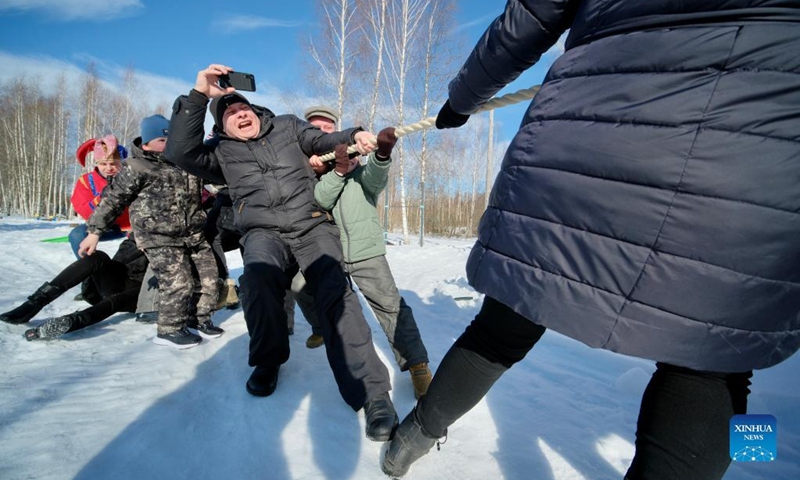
(683, 426)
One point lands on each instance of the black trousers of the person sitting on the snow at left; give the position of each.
(117, 292)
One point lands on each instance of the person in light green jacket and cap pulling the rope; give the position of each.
(350, 192)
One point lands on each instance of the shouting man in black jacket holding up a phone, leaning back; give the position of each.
(263, 158)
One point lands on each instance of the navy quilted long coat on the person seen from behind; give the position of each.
(650, 202)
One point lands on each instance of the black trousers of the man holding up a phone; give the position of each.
(269, 259)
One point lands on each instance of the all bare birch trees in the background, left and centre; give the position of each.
(378, 62)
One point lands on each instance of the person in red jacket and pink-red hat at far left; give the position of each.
(108, 155)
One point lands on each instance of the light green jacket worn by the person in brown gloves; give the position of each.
(352, 199)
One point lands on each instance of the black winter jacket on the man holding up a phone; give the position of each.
(269, 178)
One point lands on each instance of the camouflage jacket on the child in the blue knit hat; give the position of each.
(164, 202)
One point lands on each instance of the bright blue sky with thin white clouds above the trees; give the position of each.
(167, 42)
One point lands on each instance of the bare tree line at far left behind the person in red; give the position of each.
(40, 131)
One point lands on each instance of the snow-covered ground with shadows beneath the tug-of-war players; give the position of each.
(107, 403)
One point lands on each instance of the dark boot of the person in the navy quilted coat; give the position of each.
(409, 444)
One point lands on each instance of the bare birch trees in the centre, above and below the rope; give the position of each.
(387, 62)
